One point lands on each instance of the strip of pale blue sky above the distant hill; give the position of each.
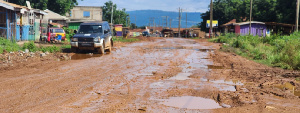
(166, 5)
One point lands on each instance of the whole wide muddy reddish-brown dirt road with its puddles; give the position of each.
(164, 75)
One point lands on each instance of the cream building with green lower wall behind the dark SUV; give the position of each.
(80, 14)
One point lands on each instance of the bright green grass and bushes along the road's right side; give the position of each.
(277, 51)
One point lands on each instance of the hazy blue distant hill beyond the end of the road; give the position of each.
(143, 18)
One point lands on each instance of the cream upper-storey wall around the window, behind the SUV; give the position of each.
(76, 13)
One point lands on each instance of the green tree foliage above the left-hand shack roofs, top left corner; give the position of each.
(58, 6)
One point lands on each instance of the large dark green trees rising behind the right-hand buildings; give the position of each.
(263, 10)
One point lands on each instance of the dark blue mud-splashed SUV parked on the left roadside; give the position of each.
(93, 36)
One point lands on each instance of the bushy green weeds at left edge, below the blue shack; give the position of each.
(8, 45)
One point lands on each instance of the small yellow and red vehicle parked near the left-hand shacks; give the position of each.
(55, 32)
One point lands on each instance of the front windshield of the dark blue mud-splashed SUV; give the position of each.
(86, 29)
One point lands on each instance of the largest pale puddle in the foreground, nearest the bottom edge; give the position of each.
(190, 102)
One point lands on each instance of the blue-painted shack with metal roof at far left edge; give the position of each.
(19, 22)
